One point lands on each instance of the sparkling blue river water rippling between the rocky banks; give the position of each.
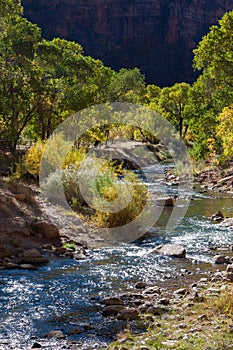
(66, 292)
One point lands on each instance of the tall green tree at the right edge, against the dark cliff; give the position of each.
(213, 90)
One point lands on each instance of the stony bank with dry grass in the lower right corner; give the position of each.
(198, 316)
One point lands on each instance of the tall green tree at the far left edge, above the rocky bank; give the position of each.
(20, 76)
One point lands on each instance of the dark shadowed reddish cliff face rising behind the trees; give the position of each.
(157, 36)
